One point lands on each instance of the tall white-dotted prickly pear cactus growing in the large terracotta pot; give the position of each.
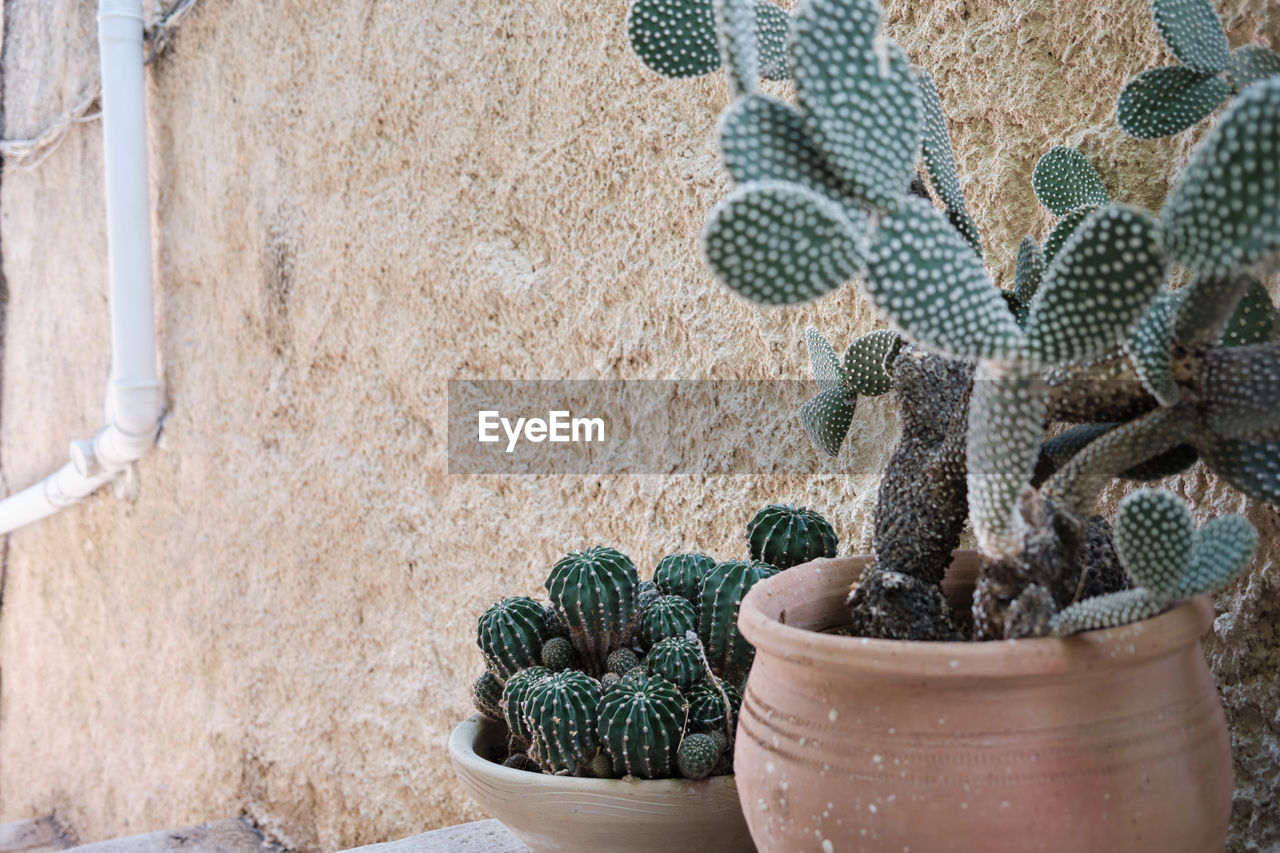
(1131, 344)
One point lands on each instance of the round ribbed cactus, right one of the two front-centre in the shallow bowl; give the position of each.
(641, 724)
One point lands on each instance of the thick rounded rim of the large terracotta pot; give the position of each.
(766, 604)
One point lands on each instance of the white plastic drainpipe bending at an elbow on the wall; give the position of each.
(134, 390)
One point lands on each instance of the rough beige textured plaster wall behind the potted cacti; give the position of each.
(355, 203)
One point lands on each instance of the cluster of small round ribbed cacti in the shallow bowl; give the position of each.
(621, 677)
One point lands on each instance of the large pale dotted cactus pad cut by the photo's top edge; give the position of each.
(861, 97)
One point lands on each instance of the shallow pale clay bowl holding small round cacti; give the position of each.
(563, 814)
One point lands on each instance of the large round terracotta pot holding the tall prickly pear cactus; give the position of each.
(1109, 741)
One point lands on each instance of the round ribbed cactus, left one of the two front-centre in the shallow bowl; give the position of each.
(563, 713)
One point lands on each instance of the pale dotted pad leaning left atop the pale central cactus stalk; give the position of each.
(926, 280)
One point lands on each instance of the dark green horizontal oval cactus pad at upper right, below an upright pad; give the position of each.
(1169, 101)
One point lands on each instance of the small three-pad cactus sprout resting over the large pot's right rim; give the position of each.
(1168, 559)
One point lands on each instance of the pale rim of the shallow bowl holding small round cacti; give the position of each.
(478, 728)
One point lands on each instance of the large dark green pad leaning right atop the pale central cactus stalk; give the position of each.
(1107, 276)
